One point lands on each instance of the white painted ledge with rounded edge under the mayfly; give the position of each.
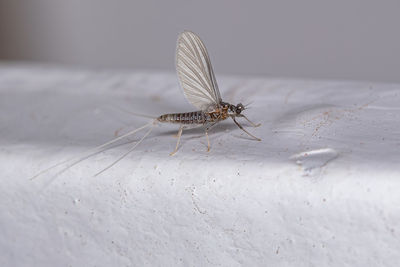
(321, 189)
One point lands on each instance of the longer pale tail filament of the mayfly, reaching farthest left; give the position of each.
(92, 151)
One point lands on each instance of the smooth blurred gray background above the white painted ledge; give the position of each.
(345, 39)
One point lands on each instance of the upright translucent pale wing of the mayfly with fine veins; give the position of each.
(195, 72)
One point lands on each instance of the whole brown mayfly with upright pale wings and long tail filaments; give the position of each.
(200, 87)
